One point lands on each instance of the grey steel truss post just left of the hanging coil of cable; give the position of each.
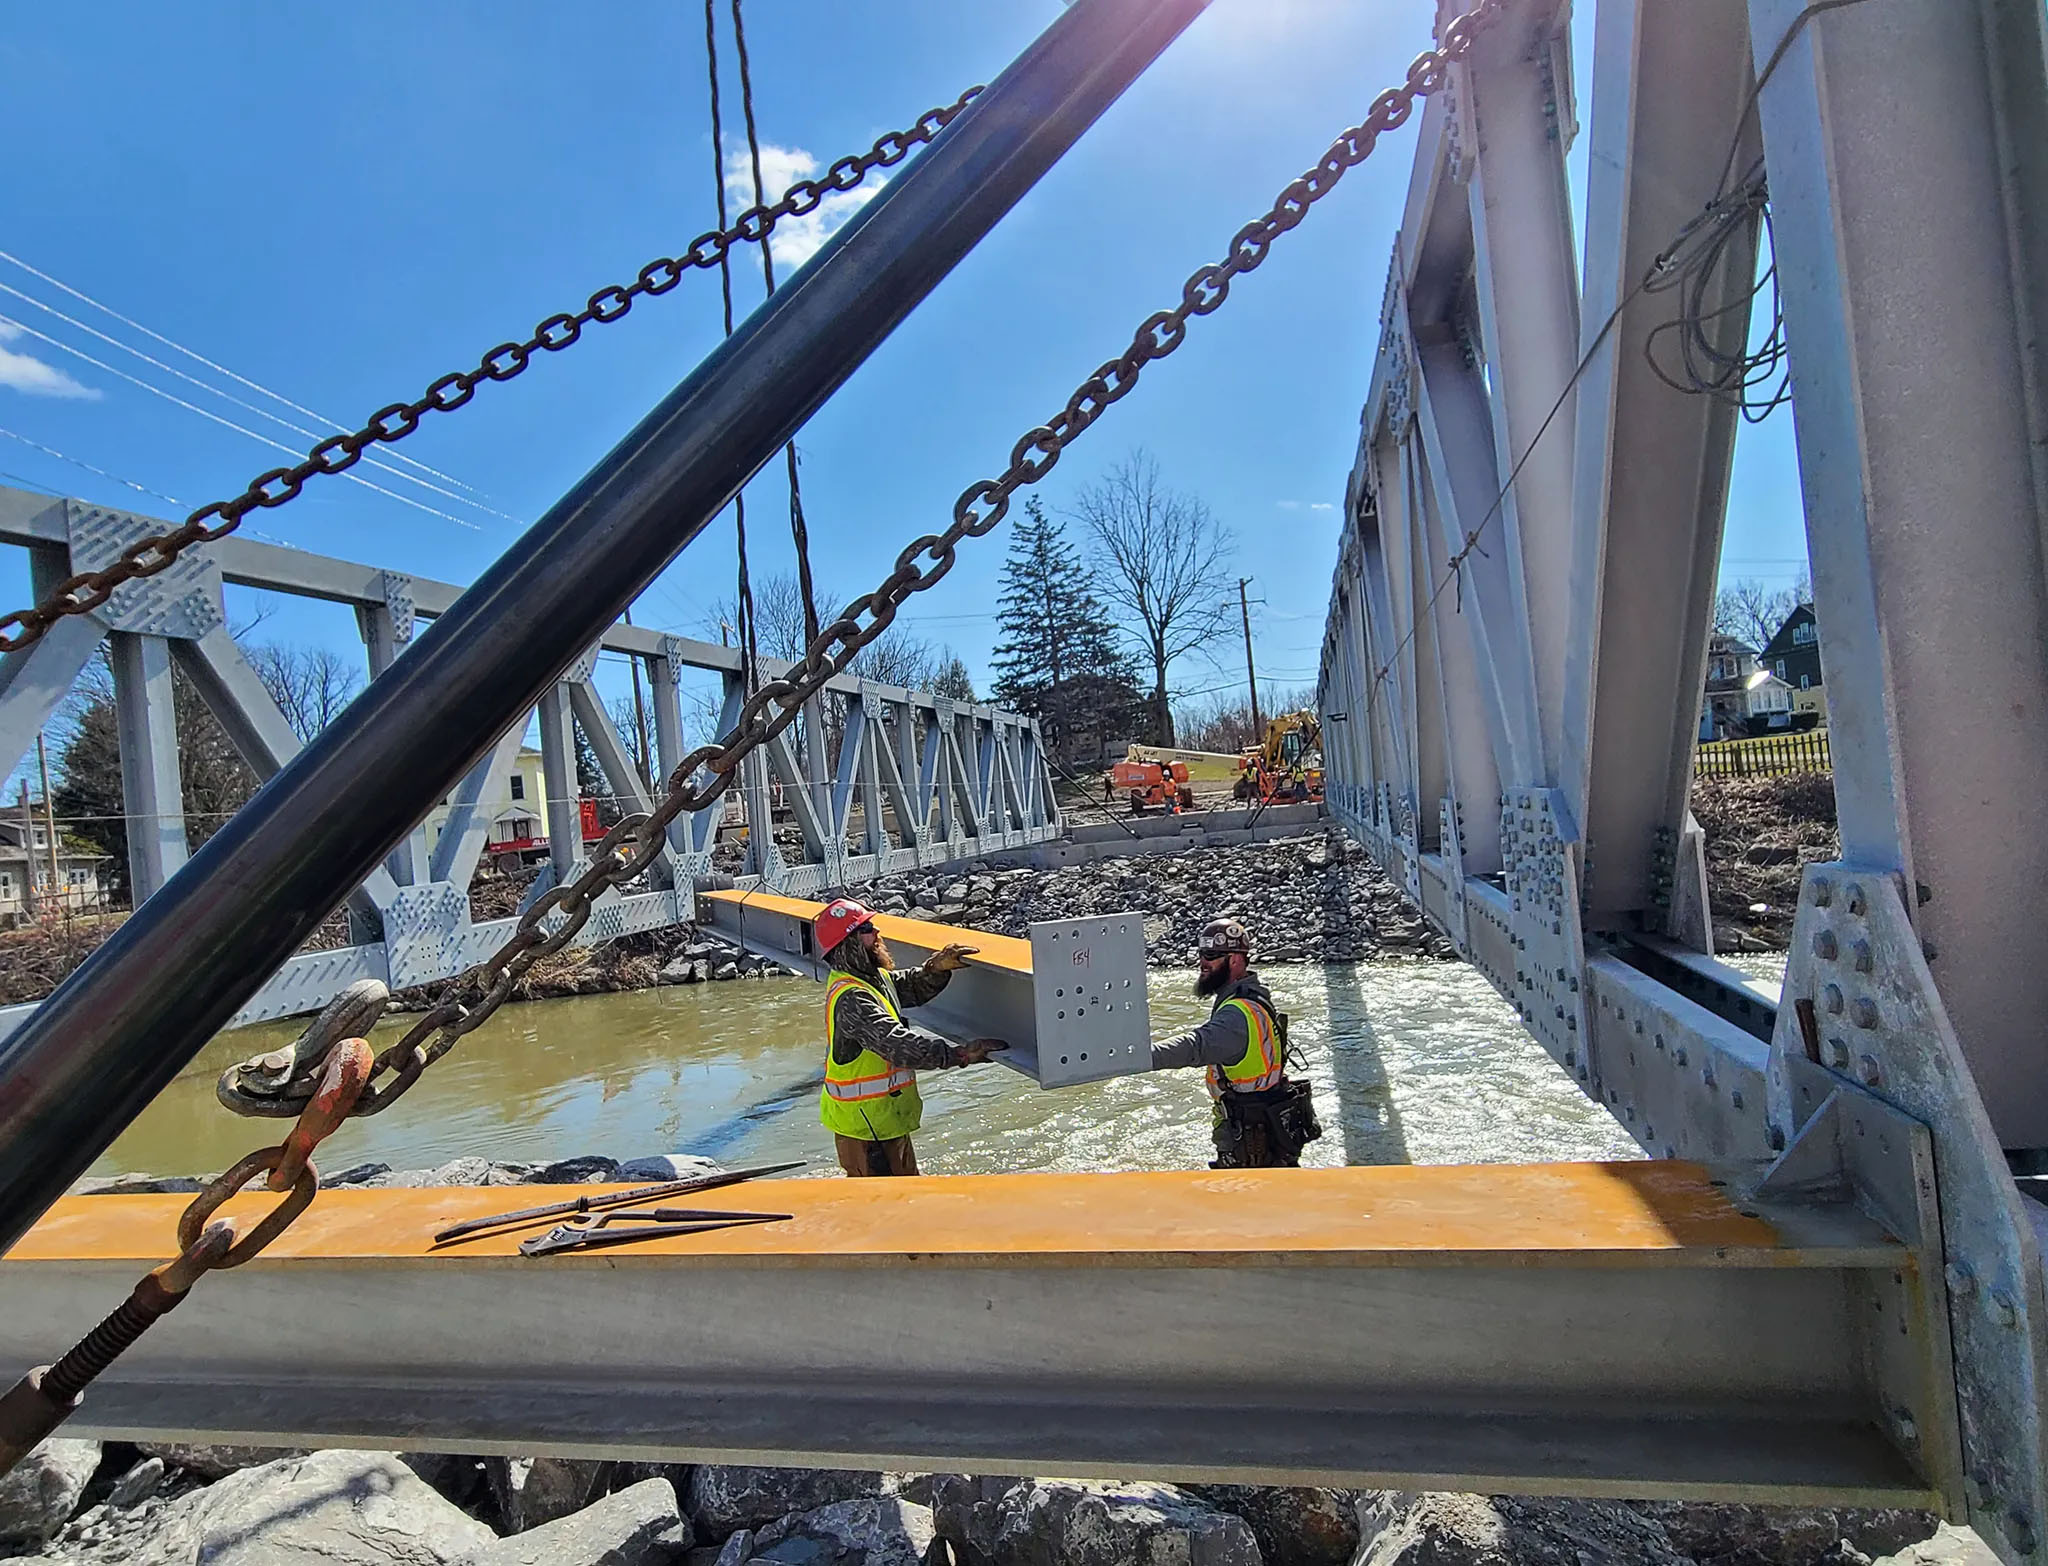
(1652, 470)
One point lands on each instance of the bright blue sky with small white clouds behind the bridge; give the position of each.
(343, 210)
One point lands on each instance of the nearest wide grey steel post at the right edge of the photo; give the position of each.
(1926, 492)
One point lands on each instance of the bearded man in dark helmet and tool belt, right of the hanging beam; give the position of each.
(1263, 1119)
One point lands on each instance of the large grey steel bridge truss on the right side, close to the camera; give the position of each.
(1517, 638)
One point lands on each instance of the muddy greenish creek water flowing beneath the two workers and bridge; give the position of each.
(1412, 1063)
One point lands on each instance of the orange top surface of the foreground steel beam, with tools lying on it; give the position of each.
(1627, 1215)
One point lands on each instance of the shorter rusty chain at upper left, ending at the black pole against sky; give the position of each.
(339, 453)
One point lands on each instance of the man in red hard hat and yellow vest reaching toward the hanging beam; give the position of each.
(871, 1055)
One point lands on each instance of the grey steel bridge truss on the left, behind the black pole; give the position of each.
(876, 779)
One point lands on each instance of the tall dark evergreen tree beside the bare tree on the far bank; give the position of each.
(1058, 656)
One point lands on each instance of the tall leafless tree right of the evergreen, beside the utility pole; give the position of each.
(1162, 568)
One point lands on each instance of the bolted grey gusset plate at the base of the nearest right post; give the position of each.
(1883, 1027)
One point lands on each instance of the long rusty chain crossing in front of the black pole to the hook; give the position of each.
(632, 846)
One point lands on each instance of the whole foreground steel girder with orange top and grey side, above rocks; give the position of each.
(1066, 1323)
